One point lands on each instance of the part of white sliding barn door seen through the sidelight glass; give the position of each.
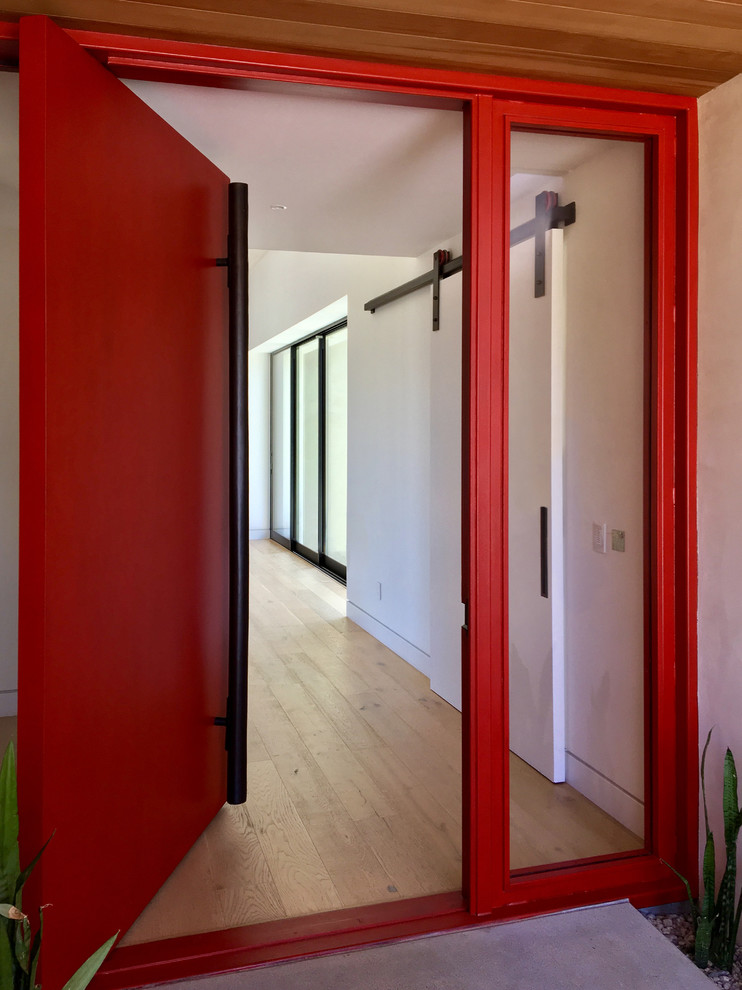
(536, 426)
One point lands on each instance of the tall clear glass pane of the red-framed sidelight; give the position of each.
(578, 450)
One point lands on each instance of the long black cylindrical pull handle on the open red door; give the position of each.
(236, 719)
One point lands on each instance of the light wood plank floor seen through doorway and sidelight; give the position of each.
(354, 778)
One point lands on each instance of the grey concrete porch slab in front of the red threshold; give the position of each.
(609, 947)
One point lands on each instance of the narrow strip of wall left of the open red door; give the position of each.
(8, 393)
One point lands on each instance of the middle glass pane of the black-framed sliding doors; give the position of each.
(307, 445)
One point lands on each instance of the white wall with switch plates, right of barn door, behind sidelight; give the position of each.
(604, 430)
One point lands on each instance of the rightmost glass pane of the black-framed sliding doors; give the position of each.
(336, 444)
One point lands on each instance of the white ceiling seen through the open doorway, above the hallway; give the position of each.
(356, 178)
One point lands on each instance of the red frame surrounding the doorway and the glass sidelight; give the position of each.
(492, 105)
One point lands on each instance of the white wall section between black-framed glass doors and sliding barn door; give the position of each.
(389, 469)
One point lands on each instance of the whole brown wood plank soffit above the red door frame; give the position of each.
(601, 42)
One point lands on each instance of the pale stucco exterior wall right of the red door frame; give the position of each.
(720, 434)
